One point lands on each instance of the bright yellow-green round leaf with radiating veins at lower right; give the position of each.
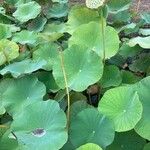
(122, 106)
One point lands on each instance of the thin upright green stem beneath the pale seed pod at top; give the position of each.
(103, 35)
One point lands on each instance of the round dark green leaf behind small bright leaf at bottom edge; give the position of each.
(90, 126)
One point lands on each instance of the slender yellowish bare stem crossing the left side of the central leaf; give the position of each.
(66, 86)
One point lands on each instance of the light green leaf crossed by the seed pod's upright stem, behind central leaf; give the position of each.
(90, 35)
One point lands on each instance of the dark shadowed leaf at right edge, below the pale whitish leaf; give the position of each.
(141, 64)
